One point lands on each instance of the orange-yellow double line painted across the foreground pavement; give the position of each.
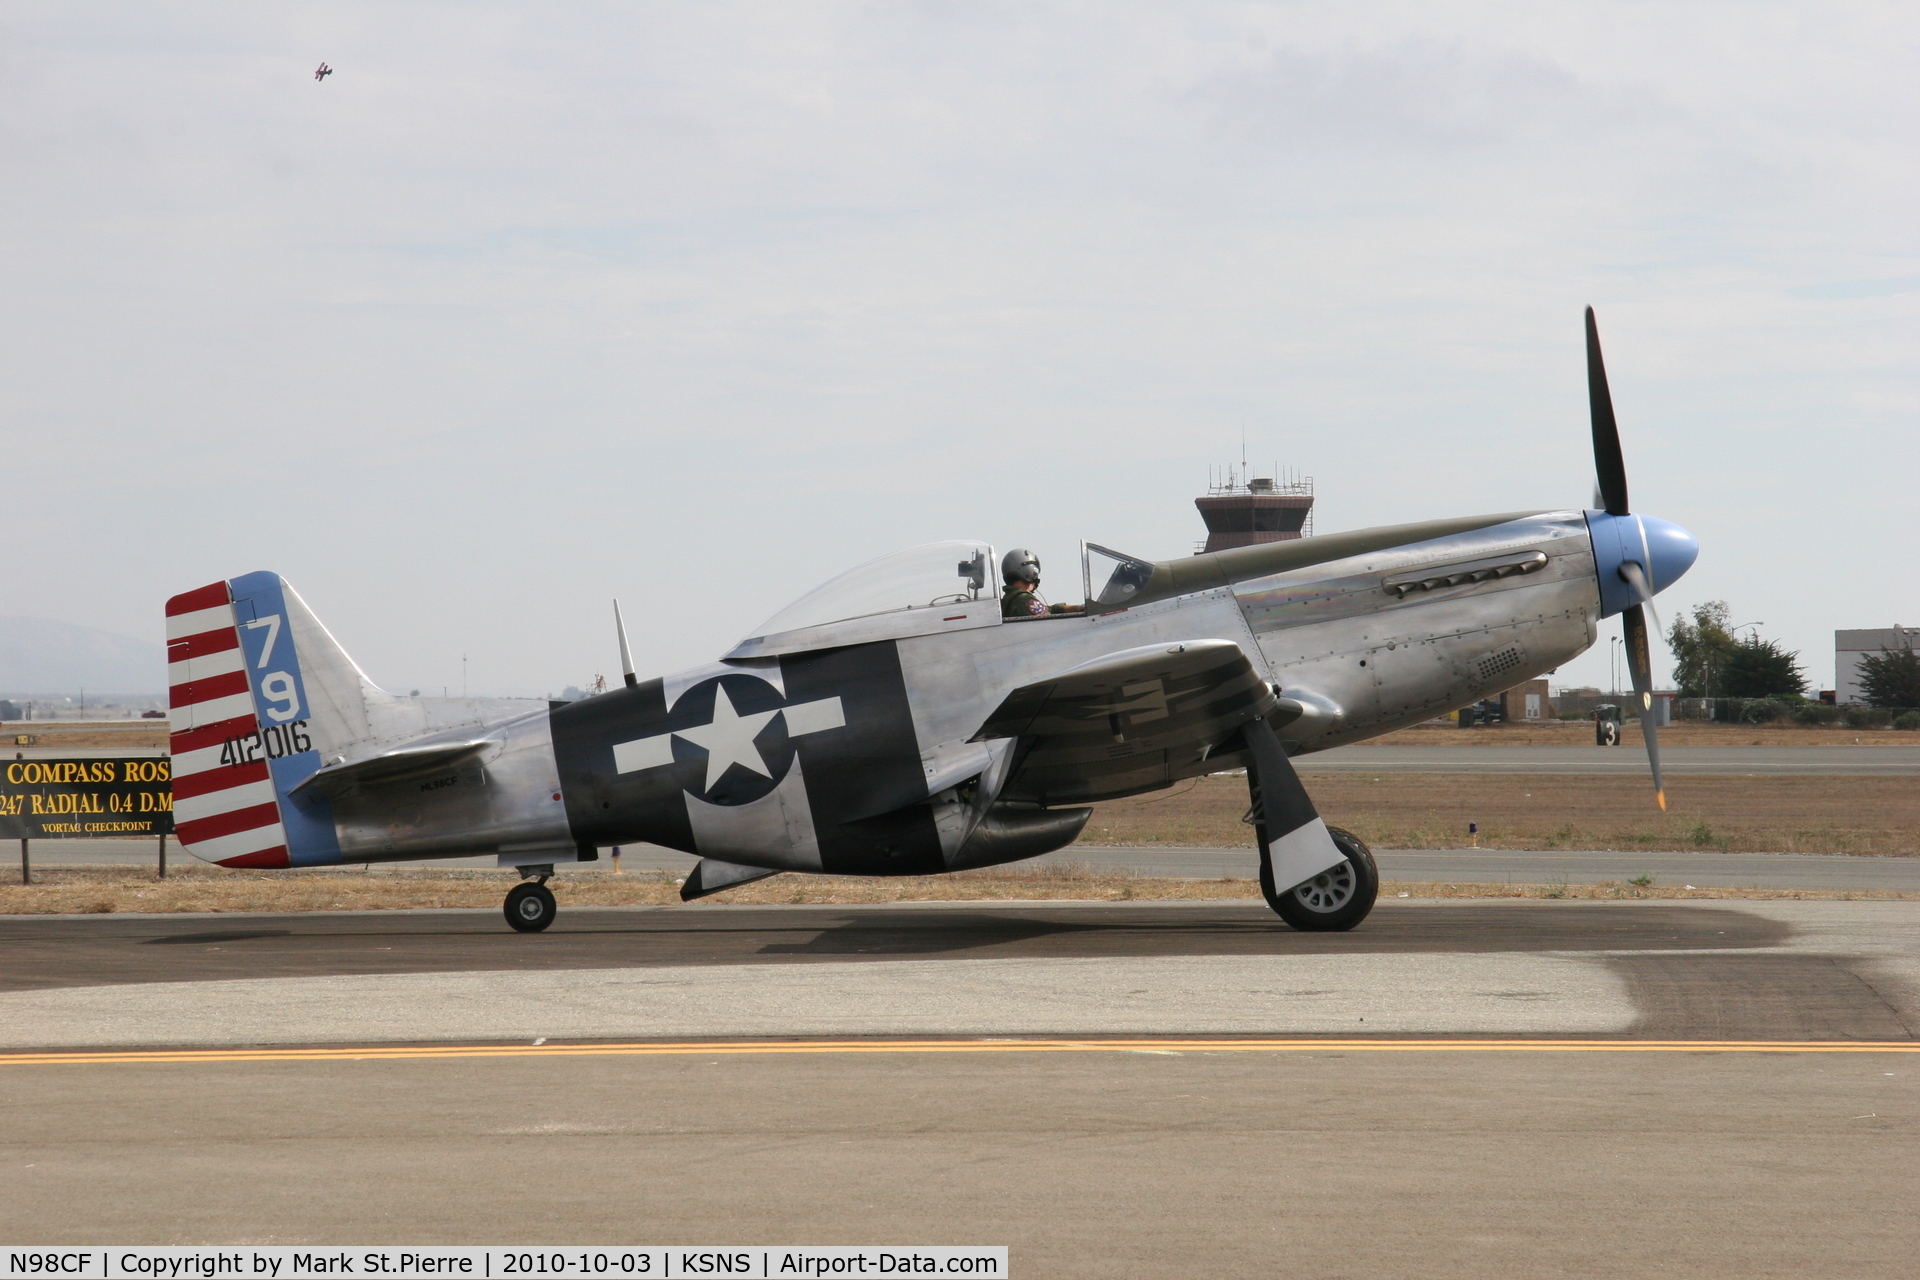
(1163, 1045)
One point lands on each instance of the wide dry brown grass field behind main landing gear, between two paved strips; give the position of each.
(1550, 811)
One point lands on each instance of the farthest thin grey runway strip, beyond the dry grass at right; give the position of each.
(1629, 759)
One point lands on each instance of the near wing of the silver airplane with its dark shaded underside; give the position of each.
(1128, 723)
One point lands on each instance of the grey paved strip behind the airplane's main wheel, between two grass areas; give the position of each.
(1401, 865)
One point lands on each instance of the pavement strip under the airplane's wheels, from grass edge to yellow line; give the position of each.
(976, 968)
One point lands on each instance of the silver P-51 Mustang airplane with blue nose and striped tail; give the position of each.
(896, 723)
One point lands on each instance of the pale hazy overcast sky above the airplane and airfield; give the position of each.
(702, 304)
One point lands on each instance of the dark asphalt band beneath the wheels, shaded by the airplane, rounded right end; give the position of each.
(105, 951)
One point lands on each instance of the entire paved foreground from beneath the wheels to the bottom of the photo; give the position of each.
(1320, 1162)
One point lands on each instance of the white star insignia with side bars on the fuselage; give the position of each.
(732, 738)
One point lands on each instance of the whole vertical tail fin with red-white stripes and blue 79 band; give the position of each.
(260, 694)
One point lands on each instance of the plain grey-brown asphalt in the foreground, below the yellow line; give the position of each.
(1149, 1166)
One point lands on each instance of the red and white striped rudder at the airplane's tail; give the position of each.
(224, 803)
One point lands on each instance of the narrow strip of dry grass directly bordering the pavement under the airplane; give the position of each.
(91, 891)
